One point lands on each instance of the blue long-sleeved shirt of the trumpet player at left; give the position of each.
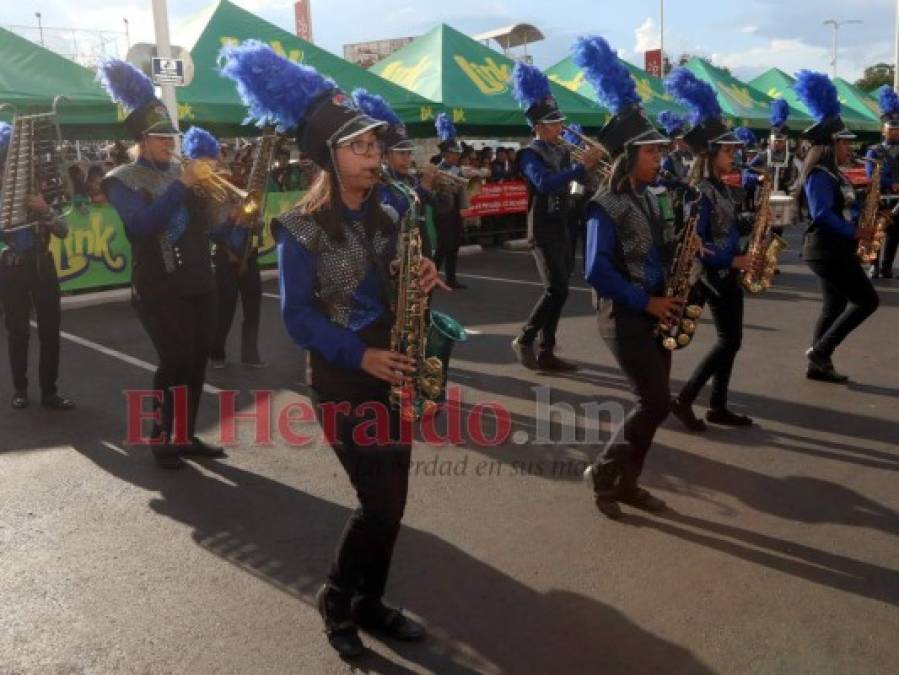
(166, 213)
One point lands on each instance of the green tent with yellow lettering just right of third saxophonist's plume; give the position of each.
(743, 104)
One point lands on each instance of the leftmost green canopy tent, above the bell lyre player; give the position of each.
(31, 77)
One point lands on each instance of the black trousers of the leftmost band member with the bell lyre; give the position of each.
(21, 289)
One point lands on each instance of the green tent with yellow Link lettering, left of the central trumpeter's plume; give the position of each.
(472, 82)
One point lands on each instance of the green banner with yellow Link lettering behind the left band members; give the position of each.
(96, 253)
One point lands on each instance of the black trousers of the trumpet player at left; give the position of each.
(181, 330)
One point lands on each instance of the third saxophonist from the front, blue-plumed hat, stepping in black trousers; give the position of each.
(719, 227)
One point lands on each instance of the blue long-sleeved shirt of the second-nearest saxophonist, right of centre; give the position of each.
(604, 275)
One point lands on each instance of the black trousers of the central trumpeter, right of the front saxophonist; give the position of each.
(553, 258)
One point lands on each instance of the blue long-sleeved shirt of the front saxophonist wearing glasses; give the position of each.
(306, 324)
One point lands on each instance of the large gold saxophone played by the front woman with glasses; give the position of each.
(420, 394)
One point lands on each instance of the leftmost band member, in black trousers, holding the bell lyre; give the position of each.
(28, 278)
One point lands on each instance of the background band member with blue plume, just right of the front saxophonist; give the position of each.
(449, 202)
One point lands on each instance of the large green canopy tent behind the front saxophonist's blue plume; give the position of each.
(212, 101)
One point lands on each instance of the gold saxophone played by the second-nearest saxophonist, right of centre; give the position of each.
(678, 332)
